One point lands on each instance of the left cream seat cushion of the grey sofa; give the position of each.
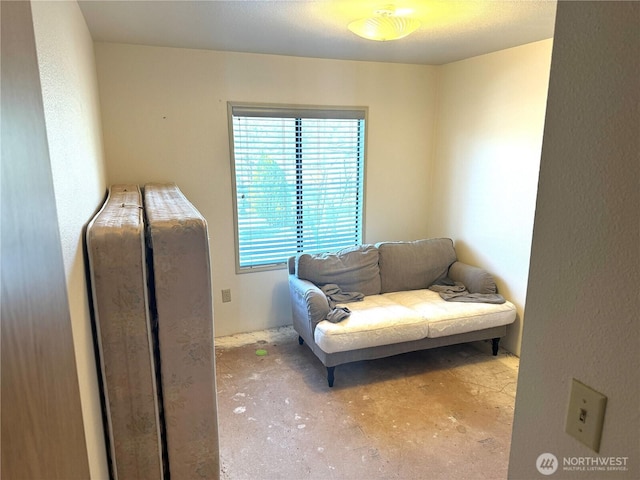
(376, 320)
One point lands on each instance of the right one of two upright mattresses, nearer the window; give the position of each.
(177, 235)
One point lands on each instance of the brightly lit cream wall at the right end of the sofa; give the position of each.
(483, 184)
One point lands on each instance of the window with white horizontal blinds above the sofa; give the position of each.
(298, 181)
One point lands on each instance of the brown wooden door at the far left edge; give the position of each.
(42, 432)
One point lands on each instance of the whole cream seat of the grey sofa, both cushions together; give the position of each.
(406, 316)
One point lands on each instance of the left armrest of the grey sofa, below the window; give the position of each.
(309, 305)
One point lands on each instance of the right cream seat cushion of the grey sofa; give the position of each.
(451, 318)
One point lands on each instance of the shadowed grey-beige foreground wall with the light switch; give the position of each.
(582, 298)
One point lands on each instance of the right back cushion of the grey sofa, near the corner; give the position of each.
(414, 265)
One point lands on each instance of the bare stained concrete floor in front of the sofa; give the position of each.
(444, 413)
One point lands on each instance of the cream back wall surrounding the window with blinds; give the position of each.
(164, 113)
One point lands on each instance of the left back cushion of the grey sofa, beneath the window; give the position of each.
(353, 269)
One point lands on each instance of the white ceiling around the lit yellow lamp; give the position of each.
(451, 30)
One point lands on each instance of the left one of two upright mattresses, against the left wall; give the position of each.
(117, 262)
